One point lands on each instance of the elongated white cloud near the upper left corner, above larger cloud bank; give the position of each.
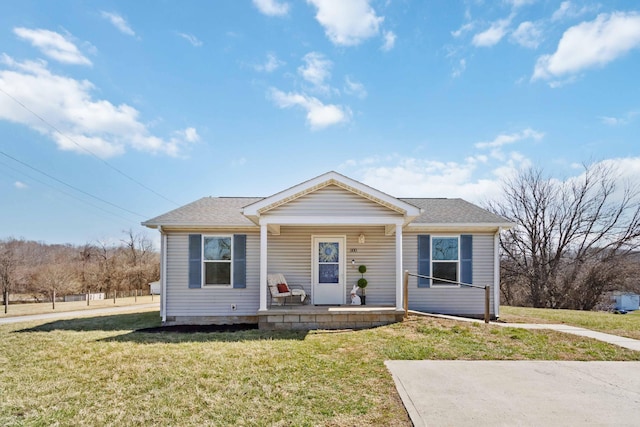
(53, 45)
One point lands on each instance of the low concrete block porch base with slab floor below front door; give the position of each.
(327, 317)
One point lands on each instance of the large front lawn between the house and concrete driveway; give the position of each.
(99, 371)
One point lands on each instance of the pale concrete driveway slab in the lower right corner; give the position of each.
(519, 393)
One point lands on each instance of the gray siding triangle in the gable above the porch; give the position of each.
(332, 201)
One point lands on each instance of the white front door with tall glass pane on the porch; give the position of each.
(328, 270)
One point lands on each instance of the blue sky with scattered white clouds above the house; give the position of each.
(112, 112)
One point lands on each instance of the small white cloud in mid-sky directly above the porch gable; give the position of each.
(319, 115)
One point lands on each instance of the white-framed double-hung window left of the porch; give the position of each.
(217, 260)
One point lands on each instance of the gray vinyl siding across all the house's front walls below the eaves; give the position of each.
(290, 254)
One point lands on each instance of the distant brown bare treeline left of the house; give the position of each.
(42, 272)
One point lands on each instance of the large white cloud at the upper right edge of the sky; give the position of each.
(591, 44)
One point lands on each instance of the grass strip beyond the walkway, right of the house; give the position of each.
(626, 325)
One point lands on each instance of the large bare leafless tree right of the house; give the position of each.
(570, 237)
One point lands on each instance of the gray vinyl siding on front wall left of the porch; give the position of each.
(209, 301)
